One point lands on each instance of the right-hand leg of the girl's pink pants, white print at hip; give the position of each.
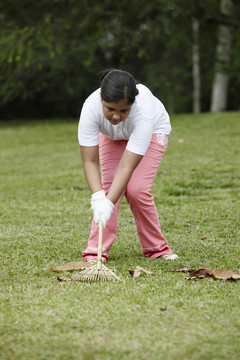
(138, 194)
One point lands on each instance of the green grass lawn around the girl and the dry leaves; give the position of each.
(45, 221)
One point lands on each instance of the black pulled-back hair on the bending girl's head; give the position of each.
(117, 85)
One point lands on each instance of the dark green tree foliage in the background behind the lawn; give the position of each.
(52, 51)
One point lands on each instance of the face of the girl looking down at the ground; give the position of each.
(116, 112)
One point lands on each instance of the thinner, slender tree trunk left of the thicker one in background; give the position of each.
(196, 74)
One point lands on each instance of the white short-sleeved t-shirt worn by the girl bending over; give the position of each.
(147, 116)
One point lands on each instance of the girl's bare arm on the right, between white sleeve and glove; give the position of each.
(127, 164)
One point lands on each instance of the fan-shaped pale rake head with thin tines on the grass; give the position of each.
(94, 274)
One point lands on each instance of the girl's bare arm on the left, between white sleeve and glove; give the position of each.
(90, 158)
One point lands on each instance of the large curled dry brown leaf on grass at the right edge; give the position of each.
(220, 274)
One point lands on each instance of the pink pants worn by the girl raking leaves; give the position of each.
(138, 194)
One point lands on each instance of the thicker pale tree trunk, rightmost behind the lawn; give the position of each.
(221, 77)
